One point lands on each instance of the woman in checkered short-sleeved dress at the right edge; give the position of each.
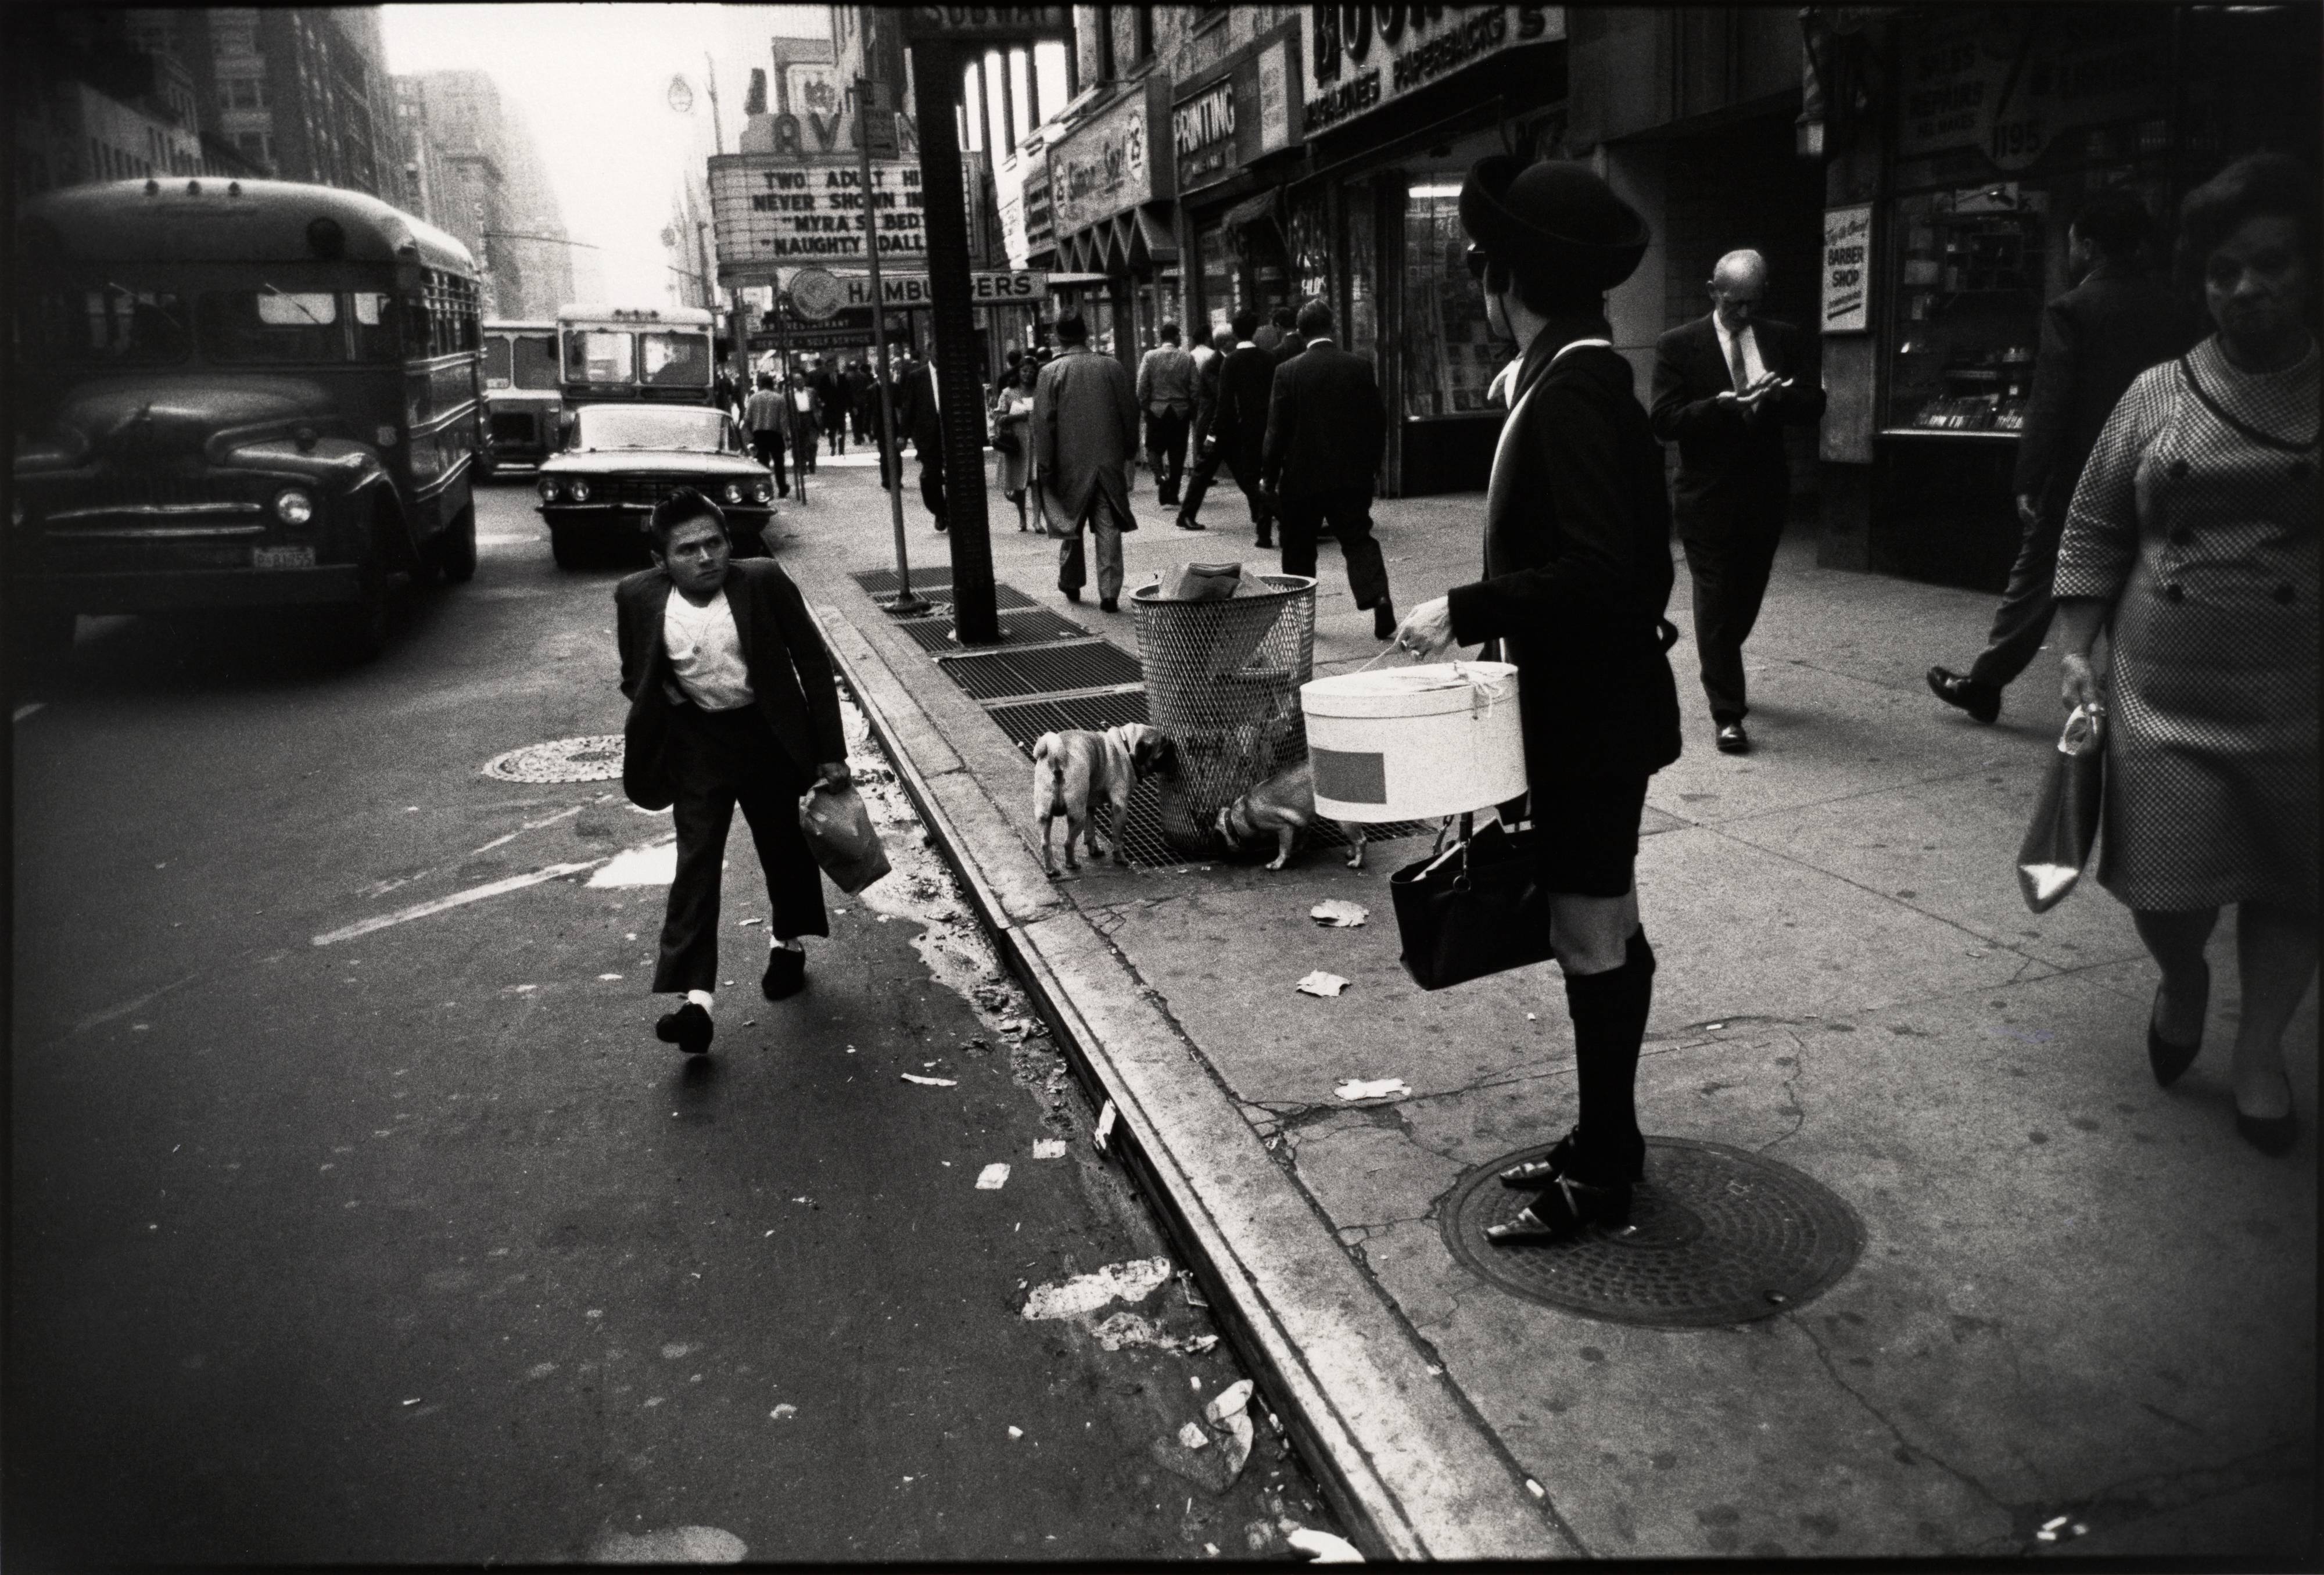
(2193, 535)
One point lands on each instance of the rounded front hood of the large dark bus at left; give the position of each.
(152, 419)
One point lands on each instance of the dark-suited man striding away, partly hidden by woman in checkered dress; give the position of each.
(2095, 340)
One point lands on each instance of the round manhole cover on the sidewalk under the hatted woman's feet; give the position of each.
(1719, 1237)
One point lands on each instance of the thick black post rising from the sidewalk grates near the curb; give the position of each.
(935, 71)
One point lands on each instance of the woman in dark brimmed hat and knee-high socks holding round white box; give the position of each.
(1577, 582)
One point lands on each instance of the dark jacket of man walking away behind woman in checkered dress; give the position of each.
(2095, 340)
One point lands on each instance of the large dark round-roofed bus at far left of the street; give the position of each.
(238, 394)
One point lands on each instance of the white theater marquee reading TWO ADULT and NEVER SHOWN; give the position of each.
(784, 213)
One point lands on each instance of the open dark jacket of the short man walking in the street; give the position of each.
(782, 647)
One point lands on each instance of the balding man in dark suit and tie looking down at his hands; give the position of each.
(1726, 387)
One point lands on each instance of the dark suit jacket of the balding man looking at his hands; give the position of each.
(1728, 456)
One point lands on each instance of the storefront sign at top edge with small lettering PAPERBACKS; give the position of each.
(1368, 57)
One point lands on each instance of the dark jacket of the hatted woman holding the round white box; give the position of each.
(1579, 570)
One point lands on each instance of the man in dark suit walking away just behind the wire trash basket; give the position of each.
(1326, 436)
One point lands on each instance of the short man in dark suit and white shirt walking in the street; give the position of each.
(731, 703)
